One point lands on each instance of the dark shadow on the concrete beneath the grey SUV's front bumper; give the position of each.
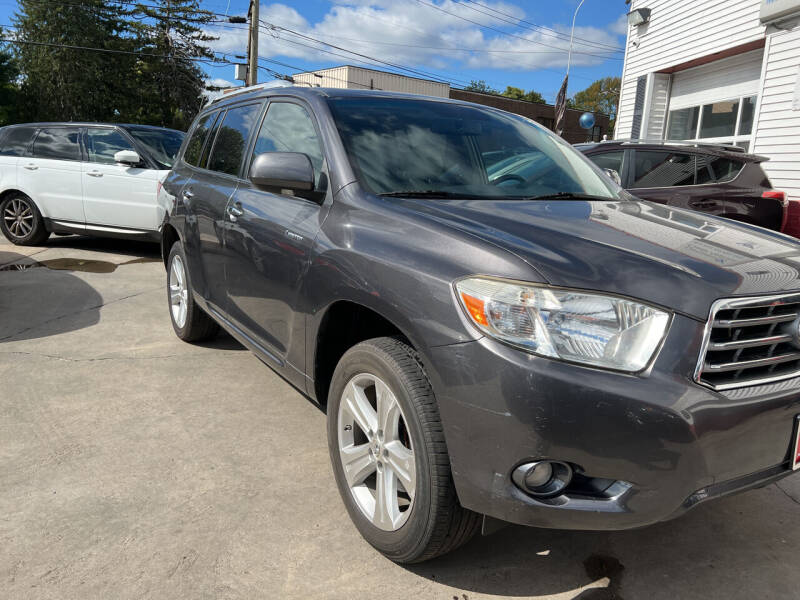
(737, 547)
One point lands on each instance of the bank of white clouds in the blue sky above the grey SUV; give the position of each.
(411, 33)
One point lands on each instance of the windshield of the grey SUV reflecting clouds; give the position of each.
(401, 146)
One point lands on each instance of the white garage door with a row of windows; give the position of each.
(716, 102)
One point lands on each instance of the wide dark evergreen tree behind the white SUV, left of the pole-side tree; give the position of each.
(63, 83)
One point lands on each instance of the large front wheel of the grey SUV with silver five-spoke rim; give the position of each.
(389, 455)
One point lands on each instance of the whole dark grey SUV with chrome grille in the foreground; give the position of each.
(542, 348)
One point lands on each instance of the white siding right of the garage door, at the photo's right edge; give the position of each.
(778, 124)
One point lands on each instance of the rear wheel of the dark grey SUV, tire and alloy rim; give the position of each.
(189, 321)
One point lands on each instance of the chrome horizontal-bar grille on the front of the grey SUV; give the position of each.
(750, 341)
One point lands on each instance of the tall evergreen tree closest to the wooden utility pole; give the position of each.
(170, 90)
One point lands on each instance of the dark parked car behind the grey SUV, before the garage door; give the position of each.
(716, 179)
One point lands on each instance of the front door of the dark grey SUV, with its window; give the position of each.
(269, 239)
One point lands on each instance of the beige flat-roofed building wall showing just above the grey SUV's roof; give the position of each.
(350, 77)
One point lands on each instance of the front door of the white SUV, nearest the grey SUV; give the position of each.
(117, 195)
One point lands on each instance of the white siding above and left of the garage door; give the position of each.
(680, 31)
